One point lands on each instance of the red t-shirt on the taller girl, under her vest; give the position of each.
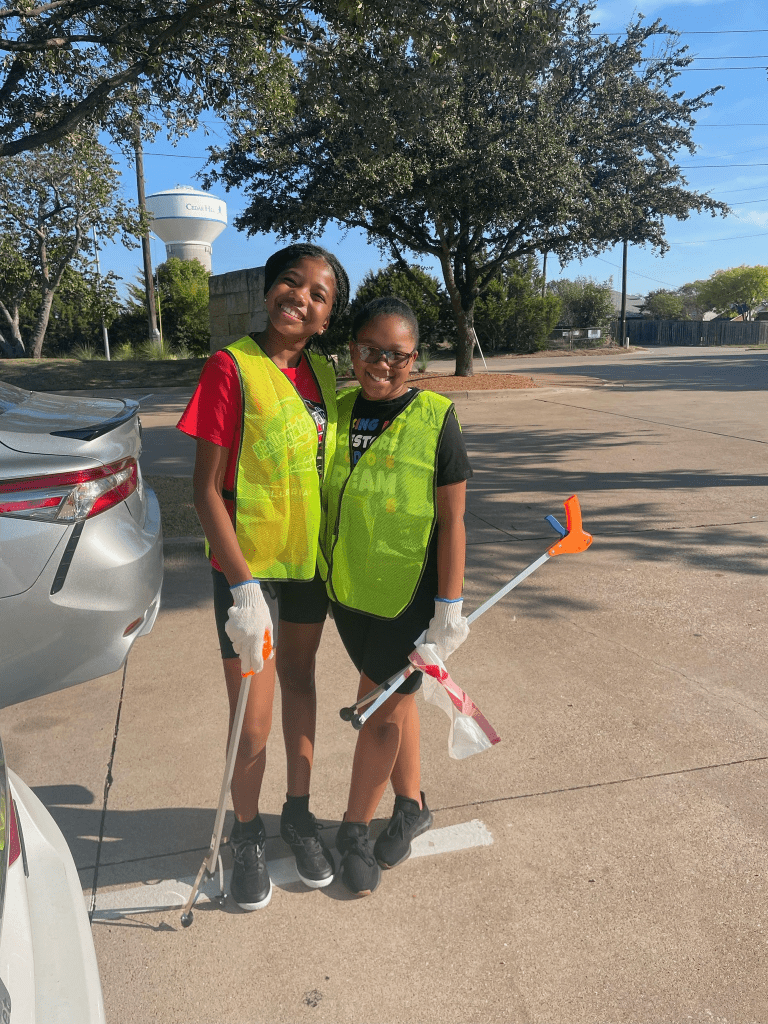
(214, 413)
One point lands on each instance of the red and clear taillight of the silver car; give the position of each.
(69, 497)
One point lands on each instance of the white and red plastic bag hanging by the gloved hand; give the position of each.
(471, 731)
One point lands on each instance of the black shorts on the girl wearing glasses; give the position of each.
(380, 647)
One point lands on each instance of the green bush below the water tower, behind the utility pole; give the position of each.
(182, 289)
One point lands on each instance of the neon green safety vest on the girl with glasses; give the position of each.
(379, 517)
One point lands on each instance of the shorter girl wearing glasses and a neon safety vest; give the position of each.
(393, 550)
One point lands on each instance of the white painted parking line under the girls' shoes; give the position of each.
(174, 893)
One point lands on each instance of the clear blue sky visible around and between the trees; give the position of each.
(730, 41)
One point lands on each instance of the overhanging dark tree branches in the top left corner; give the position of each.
(74, 63)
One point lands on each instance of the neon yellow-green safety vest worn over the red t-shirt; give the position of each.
(277, 487)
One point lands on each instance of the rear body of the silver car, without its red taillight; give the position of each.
(74, 596)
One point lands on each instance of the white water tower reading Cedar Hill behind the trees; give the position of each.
(188, 221)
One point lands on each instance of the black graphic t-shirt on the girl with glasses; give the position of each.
(370, 419)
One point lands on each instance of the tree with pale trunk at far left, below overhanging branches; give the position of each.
(50, 202)
